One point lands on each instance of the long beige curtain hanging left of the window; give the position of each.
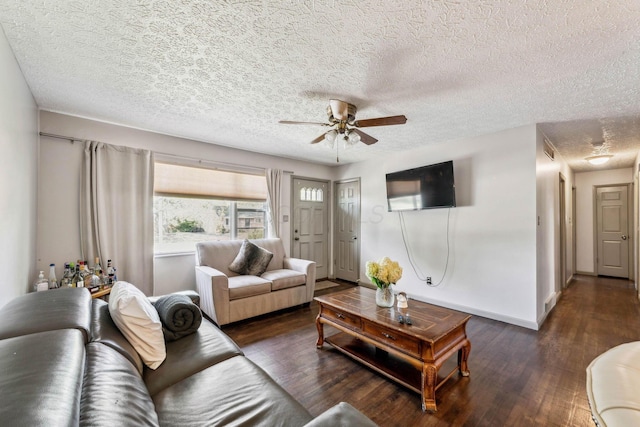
(116, 211)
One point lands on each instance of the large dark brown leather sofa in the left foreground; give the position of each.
(64, 362)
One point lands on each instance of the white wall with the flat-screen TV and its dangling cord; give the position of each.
(492, 265)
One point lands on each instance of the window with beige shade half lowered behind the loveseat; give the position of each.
(192, 205)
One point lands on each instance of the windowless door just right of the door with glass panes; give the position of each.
(347, 230)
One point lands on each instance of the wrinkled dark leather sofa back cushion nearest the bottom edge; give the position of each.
(113, 393)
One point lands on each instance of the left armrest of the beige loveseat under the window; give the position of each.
(213, 287)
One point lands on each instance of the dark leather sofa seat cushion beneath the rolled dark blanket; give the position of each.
(190, 354)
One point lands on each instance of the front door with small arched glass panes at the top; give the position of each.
(311, 223)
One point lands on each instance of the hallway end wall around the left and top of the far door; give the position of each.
(585, 182)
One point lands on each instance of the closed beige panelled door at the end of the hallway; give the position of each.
(612, 231)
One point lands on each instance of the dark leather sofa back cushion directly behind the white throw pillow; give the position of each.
(105, 331)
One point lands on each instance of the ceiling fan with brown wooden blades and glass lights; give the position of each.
(342, 120)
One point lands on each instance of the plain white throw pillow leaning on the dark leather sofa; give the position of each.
(139, 322)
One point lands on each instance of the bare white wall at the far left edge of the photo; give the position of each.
(18, 178)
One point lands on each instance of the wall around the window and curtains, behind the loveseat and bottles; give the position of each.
(59, 237)
